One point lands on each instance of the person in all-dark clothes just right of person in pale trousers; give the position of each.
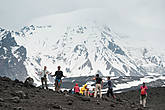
(110, 88)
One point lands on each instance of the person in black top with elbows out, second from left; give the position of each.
(58, 81)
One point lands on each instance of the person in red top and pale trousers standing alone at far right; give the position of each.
(143, 95)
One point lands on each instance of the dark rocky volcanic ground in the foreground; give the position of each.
(16, 95)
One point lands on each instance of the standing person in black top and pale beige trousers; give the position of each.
(99, 83)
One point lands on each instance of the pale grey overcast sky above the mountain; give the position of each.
(146, 17)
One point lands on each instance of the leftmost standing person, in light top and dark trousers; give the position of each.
(44, 77)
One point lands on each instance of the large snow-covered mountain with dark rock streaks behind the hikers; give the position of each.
(78, 43)
